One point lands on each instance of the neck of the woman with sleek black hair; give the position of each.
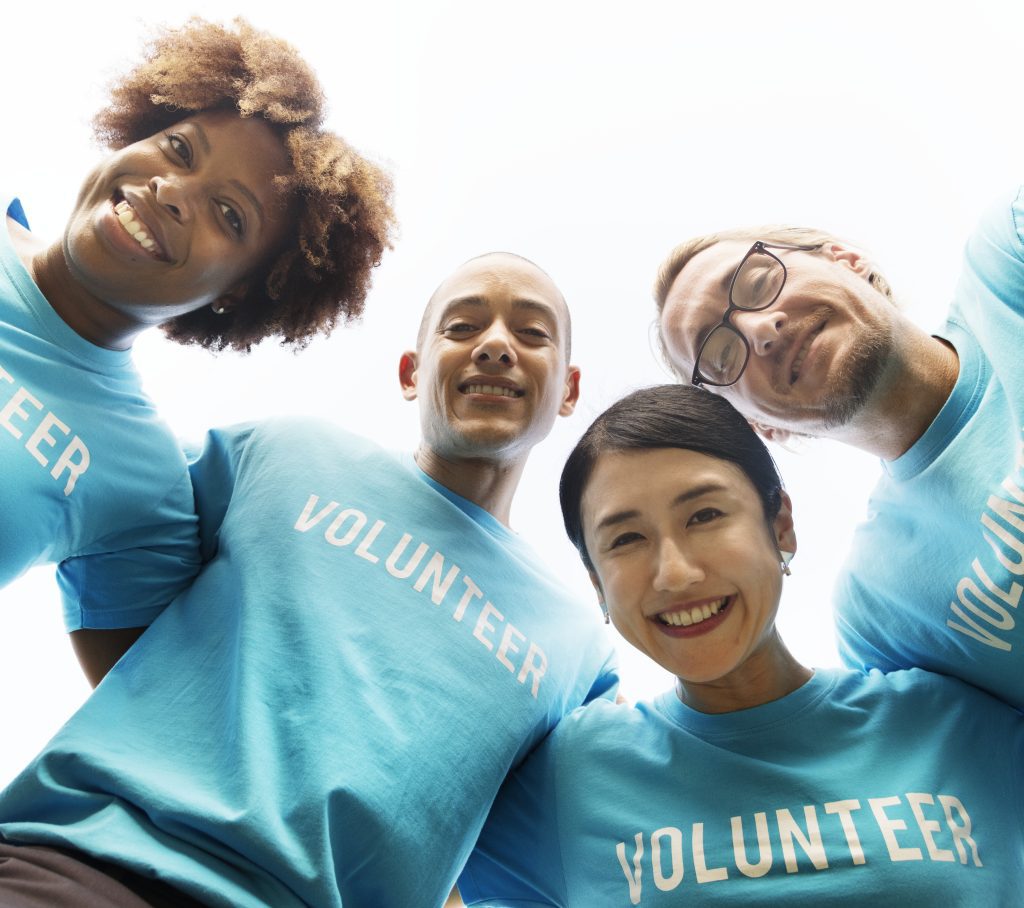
(770, 674)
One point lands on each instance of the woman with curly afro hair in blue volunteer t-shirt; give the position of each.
(225, 213)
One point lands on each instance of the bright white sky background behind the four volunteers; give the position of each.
(590, 138)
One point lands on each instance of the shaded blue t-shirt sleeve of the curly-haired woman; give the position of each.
(129, 578)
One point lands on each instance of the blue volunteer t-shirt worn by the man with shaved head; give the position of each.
(325, 718)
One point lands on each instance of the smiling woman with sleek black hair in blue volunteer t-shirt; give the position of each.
(757, 781)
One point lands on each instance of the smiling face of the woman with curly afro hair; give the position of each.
(181, 220)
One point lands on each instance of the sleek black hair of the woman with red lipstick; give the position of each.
(668, 416)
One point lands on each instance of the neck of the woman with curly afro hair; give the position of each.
(88, 316)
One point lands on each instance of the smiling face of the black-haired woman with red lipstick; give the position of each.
(686, 561)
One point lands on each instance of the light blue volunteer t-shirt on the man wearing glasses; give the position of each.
(934, 576)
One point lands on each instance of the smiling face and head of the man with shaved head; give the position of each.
(491, 372)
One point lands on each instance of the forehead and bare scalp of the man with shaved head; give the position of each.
(499, 281)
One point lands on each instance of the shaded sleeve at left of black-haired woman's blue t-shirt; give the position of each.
(518, 861)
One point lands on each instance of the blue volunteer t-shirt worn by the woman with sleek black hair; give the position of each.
(881, 791)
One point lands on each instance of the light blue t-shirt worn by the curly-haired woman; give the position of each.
(93, 479)
